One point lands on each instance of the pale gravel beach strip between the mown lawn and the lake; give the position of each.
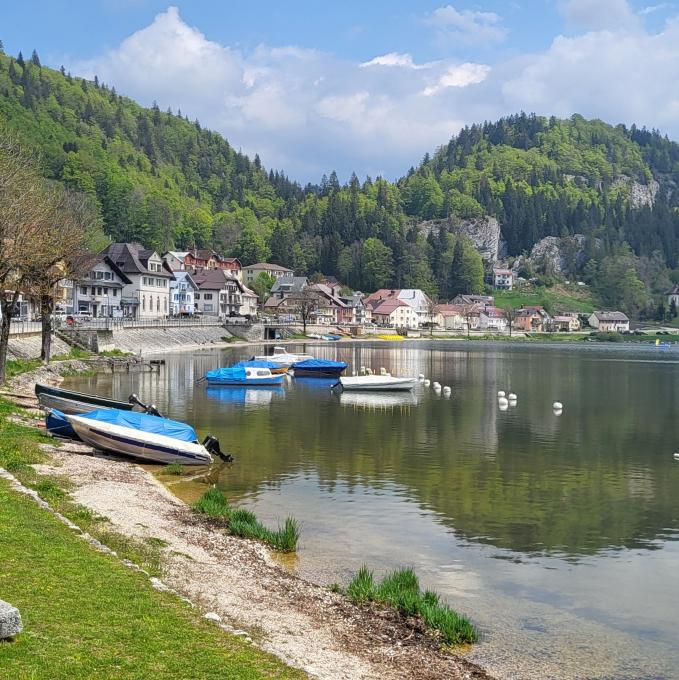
(302, 623)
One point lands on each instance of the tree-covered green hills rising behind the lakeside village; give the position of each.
(168, 182)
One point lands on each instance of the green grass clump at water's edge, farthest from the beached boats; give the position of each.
(400, 589)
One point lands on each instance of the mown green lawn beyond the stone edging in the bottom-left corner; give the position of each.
(87, 617)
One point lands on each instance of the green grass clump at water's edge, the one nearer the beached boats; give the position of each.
(245, 524)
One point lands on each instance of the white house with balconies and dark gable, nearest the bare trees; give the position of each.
(100, 291)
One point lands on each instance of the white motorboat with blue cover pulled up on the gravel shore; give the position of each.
(158, 440)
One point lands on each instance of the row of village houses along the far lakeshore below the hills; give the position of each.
(129, 282)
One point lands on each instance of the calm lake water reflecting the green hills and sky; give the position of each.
(556, 534)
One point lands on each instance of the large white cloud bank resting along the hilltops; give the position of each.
(307, 111)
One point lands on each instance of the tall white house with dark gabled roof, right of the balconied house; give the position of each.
(147, 296)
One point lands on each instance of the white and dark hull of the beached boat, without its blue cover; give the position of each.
(144, 446)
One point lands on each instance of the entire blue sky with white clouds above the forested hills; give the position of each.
(368, 87)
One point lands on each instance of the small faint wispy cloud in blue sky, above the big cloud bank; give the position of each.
(467, 26)
